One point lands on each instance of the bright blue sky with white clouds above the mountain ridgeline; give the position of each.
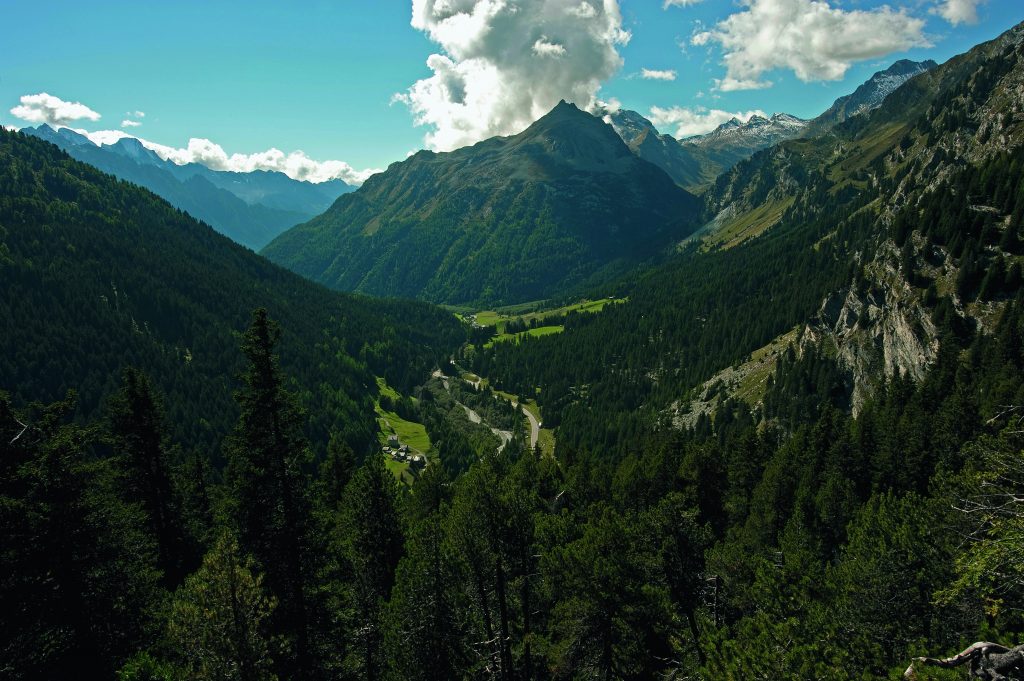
(343, 89)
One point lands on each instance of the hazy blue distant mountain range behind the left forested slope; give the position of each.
(249, 208)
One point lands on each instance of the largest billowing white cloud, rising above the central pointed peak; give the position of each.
(502, 65)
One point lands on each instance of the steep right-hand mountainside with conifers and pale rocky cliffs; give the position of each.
(834, 201)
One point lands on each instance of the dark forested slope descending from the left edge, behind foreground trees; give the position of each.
(100, 275)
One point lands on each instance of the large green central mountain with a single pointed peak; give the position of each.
(564, 204)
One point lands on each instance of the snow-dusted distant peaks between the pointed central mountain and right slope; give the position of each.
(695, 162)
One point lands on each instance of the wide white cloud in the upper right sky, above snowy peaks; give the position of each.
(809, 37)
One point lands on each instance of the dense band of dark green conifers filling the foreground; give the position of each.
(693, 557)
